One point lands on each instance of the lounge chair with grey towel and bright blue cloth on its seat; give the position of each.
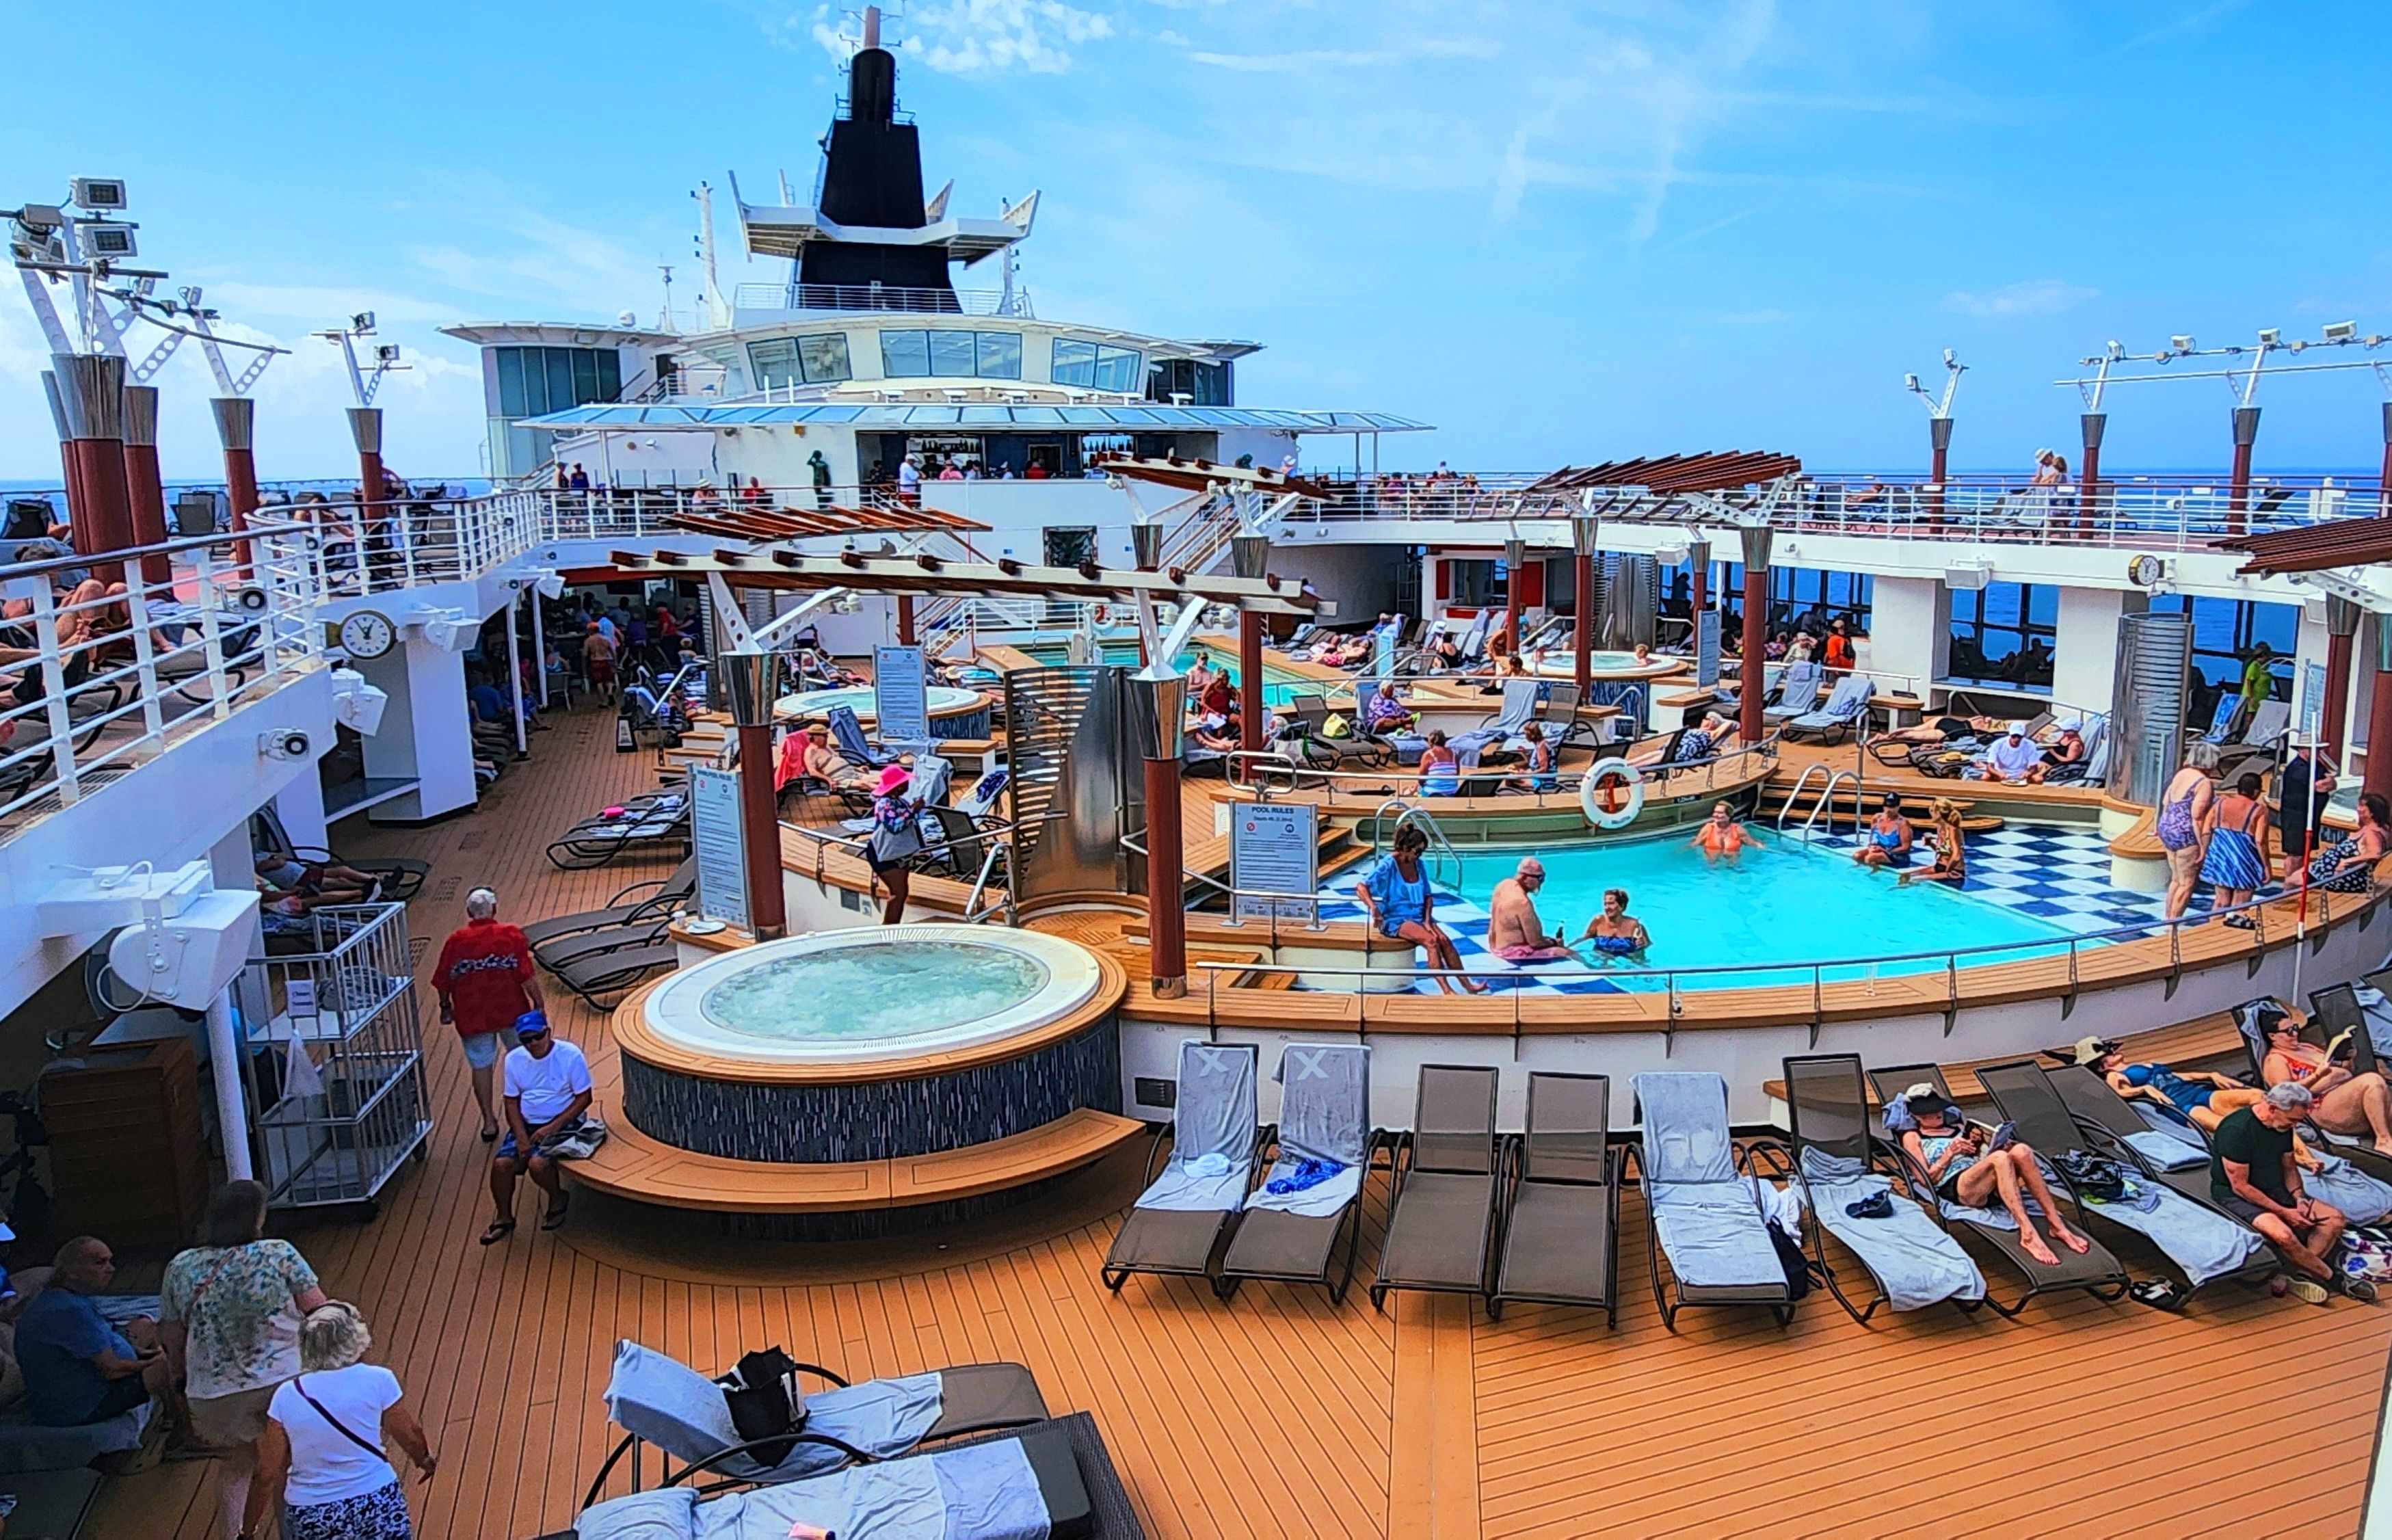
(1324, 1118)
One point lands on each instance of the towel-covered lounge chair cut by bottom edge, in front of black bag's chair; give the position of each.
(1049, 1479)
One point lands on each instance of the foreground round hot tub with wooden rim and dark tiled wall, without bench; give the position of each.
(872, 1044)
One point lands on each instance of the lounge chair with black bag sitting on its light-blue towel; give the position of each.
(659, 1400)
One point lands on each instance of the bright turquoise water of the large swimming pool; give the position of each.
(1786, 905)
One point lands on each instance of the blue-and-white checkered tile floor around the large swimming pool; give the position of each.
(2049, 872)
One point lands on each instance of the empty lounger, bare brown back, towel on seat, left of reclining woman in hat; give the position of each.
(1908, 1254)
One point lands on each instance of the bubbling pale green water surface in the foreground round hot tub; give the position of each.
(860, 994)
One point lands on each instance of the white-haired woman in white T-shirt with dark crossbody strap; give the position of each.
(327, 1434)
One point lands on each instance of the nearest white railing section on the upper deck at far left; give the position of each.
(106, 664)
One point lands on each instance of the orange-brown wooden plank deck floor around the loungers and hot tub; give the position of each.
(1288, 1417)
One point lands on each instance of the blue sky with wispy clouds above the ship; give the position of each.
(1558, 233)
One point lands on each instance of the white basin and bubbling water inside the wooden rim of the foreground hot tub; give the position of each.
(872, 996)
